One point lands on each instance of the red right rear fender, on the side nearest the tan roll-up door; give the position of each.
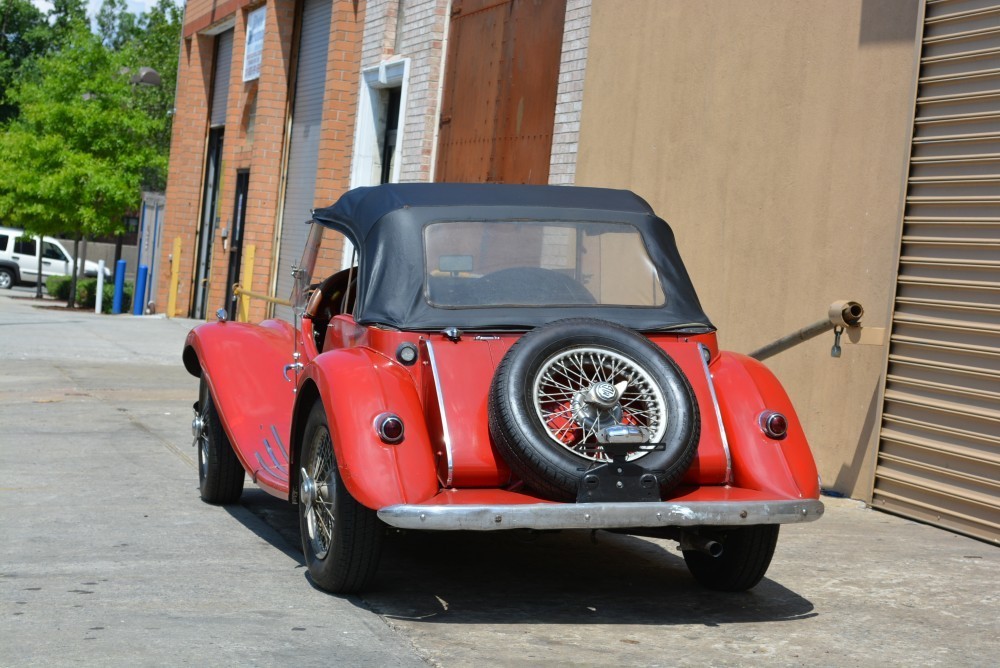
(745, 389)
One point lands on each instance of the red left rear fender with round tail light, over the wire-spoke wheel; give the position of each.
(355, 386)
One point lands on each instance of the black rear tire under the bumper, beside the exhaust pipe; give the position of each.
(746, 554)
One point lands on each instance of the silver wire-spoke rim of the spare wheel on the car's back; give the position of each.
(581, 391)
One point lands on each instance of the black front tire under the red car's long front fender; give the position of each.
(220, 474)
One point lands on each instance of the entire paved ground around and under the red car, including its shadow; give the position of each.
(109, 557)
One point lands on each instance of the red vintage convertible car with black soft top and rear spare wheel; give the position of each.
(499, 357)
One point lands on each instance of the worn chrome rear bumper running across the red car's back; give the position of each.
(600, 515)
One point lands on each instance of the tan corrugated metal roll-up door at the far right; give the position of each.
(939, 452)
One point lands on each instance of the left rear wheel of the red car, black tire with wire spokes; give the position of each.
(342, 558)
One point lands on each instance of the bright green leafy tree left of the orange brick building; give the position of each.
(87, 140)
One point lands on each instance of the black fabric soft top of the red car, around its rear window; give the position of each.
(385, 223)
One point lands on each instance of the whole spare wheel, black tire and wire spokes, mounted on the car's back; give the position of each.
(561, 386)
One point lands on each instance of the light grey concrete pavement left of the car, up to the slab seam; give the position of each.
(108, 556)
